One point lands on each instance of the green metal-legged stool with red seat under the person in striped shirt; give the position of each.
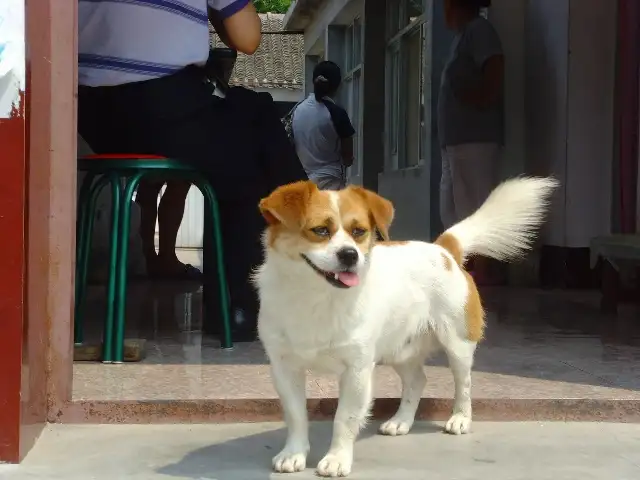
(123, 173)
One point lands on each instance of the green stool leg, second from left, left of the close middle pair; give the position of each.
(107, 349)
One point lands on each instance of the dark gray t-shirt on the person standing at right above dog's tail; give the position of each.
(459, 123)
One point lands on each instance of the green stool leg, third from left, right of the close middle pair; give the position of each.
(121, 267)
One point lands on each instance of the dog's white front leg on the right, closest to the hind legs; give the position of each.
(351, 415)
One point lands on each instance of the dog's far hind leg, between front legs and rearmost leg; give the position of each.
(413, 381)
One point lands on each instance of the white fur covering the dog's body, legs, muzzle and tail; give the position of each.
(408, 305)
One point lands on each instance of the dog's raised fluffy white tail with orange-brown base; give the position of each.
(506, 224)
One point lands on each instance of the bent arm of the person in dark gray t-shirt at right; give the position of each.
(486, 51)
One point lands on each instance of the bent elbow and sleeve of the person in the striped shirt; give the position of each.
(237, 23)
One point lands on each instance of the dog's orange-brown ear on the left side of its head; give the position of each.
(287, 204)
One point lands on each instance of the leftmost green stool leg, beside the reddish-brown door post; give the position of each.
(81, 227)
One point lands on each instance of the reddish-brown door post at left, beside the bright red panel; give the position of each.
(51, 200)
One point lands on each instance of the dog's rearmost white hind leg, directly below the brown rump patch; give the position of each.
(460, 354)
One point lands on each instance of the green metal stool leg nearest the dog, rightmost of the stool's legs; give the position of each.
(212, 204)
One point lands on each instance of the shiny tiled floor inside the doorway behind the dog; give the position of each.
(539, 345)
